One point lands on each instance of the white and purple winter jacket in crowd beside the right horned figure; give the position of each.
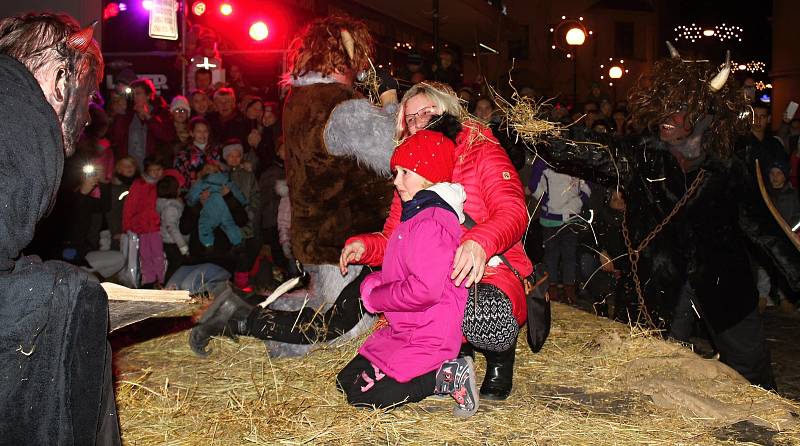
(562, 196)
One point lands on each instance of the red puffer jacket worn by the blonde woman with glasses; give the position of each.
(495, 200)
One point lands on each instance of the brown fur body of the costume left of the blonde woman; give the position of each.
(333, 197)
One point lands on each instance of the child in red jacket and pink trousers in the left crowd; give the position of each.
(140, 216)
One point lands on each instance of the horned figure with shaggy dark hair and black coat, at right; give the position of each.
(703, 248)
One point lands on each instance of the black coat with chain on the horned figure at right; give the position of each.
(706, 242)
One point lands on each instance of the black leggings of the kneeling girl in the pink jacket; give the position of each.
(366, 385)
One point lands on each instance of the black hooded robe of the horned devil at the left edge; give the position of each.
(53, 323)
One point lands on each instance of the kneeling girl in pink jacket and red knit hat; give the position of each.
(412, 357)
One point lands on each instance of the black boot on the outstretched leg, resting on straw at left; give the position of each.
(227, 315)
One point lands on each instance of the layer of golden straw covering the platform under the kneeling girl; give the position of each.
(595, 383)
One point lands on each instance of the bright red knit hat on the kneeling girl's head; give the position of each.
(429, 154)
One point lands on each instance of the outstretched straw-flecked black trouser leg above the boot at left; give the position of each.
(307, 326)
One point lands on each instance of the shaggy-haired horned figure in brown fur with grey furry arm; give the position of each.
(335, 191)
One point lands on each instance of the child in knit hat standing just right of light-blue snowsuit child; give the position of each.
(245, 181)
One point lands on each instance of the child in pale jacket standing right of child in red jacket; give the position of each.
(170, 209)
